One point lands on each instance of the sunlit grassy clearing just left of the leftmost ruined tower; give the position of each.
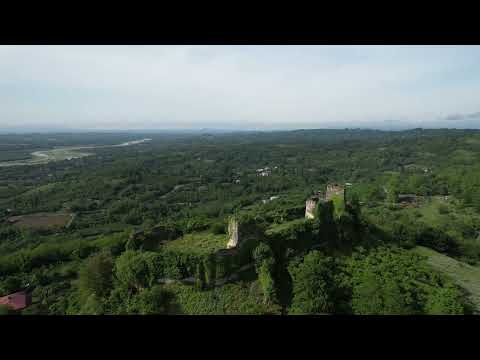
(198, 243)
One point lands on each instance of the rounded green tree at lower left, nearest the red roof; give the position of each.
(96, 276)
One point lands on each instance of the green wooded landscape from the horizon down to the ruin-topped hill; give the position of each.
(212, 223)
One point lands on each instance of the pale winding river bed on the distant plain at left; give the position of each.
(64, 153)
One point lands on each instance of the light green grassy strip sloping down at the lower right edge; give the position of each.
(464, 275)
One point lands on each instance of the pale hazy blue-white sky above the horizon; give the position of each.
(239, 87)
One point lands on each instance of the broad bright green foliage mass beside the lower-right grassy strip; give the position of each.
(394, 281)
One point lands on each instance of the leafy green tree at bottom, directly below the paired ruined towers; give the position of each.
(313, 285)
